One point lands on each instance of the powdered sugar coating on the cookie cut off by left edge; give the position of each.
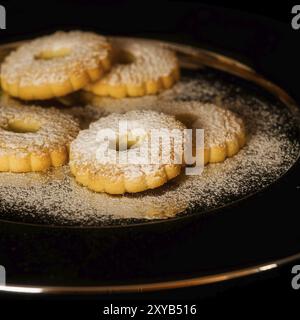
(55, 129)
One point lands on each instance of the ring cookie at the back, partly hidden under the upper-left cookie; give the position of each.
(141, 69)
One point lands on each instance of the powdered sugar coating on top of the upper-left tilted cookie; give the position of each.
(84, 50)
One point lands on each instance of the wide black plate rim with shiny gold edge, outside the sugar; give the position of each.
(250, 235)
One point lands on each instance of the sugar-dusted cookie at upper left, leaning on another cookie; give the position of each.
(55, 65)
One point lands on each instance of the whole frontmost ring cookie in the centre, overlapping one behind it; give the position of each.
(94, 164)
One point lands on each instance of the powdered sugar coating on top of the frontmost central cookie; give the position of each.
(84, 149)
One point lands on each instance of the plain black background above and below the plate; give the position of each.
(257, 41)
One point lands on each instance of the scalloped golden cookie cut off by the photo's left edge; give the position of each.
(33, 138)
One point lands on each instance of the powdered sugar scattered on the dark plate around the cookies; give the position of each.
(271, 149)
